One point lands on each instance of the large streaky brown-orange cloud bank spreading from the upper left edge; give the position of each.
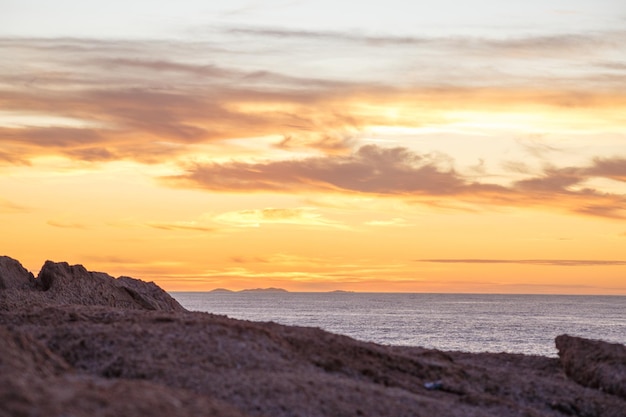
(136, 108)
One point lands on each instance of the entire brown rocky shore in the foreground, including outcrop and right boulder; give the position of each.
(79, 343)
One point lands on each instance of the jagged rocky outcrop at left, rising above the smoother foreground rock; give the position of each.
(61, 283)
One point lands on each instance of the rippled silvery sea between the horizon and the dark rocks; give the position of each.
(468, 322)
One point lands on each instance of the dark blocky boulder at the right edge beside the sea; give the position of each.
(594, 363)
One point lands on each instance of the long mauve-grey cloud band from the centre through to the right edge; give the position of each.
(401, 172)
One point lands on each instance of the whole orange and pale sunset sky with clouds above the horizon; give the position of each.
(452, 146)
